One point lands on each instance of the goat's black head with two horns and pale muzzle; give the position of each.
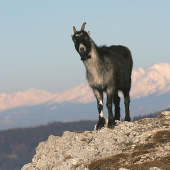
(82, 42)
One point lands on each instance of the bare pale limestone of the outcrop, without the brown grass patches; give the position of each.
(76, 150)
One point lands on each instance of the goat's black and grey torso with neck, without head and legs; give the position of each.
(109, 66)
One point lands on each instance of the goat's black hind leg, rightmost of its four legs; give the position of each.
(126, 102)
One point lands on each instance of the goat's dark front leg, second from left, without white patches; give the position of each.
(111, 120)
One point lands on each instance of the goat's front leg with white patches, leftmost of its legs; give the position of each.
(99, 96)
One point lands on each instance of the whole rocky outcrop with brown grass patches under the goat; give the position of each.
(143, 144)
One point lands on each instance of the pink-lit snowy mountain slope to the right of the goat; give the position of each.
(146, 81)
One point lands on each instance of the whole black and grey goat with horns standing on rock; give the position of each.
(108, 69)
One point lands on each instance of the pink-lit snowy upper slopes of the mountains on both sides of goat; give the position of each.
(145, 81)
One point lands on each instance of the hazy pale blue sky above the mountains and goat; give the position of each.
(36, 50)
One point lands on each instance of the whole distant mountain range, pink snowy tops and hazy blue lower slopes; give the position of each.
(150, 92)
